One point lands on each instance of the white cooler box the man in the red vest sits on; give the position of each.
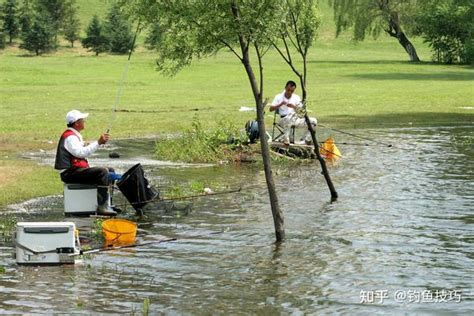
(80, 199)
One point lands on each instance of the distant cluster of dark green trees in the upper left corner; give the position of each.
(39, 23)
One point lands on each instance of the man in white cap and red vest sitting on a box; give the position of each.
(71, 159)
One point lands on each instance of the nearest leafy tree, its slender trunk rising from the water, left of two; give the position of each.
(194, 29)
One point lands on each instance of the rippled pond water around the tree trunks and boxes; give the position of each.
(403, 224)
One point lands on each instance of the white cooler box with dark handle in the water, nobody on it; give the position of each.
(46, 242)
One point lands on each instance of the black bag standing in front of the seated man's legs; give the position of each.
(135, 187)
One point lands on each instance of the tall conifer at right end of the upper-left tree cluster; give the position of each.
(118, 31)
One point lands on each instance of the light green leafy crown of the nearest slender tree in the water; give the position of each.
(196, 29)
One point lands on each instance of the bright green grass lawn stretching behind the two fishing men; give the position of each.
(356, 85)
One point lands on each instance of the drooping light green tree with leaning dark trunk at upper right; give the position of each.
(373, 16)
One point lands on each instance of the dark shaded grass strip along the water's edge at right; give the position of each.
(401, 119)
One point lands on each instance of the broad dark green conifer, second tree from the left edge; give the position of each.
(40, 37)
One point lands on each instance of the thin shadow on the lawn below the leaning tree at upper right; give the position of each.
(439, 76)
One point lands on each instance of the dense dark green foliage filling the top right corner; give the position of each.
(448, 28)
